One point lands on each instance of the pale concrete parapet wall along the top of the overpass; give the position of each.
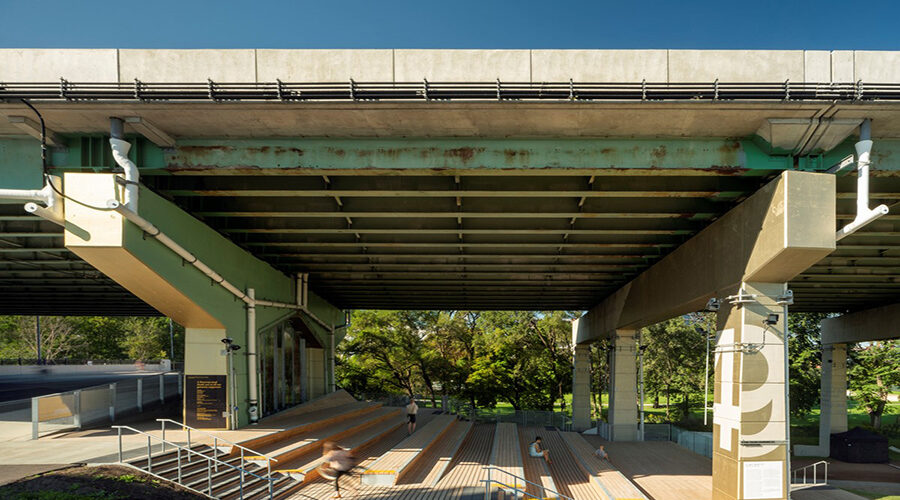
(408, 65)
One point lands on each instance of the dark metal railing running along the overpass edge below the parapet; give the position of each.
(450, 91)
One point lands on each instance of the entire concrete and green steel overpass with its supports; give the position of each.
(633, 184)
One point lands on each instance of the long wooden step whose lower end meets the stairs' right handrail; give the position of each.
(313, 440)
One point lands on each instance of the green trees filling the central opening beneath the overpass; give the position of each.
(520, 357)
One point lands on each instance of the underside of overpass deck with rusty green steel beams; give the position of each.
(452, 224)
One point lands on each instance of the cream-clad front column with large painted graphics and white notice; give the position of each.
(749, 442)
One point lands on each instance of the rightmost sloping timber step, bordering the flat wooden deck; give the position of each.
(606, 482)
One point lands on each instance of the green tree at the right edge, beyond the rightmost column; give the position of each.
(872, 373)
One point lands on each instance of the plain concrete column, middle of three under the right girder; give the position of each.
(623, 415)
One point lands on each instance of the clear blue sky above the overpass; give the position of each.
(763, 24)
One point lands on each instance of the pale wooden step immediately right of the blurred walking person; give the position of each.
(388, 469)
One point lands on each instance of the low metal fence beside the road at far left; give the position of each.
(33, 417)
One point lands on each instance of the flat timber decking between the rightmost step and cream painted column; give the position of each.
(664, 470)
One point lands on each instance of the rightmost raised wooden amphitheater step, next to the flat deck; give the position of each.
(608, 482)
